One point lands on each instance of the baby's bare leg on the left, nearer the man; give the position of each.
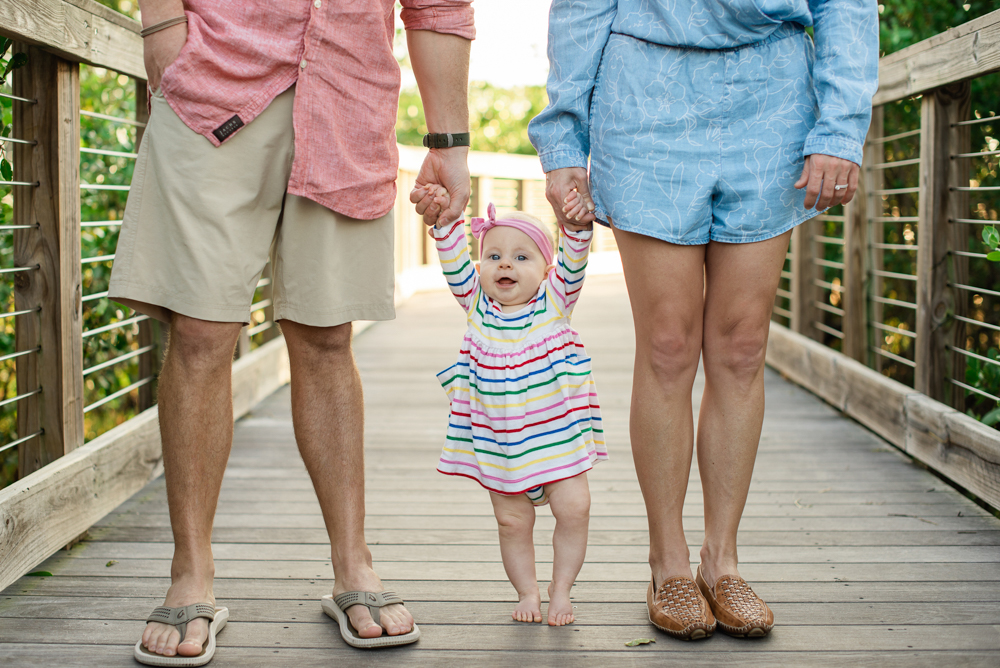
(516, 521)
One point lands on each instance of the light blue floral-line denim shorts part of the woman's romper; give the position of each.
(690, 145)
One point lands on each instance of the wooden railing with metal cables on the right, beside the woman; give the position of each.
(886, 279)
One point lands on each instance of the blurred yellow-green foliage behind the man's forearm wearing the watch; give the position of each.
(498, 117)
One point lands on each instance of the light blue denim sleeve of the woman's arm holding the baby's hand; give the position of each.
(578, 32)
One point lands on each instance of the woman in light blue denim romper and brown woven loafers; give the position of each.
(713, 127)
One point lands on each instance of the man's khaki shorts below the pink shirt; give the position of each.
(201, 222)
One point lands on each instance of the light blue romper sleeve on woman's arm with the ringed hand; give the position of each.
(845, 75)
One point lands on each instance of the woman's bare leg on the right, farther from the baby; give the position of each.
(741, 281)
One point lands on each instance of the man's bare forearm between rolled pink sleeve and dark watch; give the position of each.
(441, 65)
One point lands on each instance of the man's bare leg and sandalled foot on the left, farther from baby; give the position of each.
(196, 425)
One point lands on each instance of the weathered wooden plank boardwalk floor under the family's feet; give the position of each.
(866, 558)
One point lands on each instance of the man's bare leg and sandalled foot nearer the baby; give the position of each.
(328, 414)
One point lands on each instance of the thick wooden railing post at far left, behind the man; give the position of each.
(54, 246)
